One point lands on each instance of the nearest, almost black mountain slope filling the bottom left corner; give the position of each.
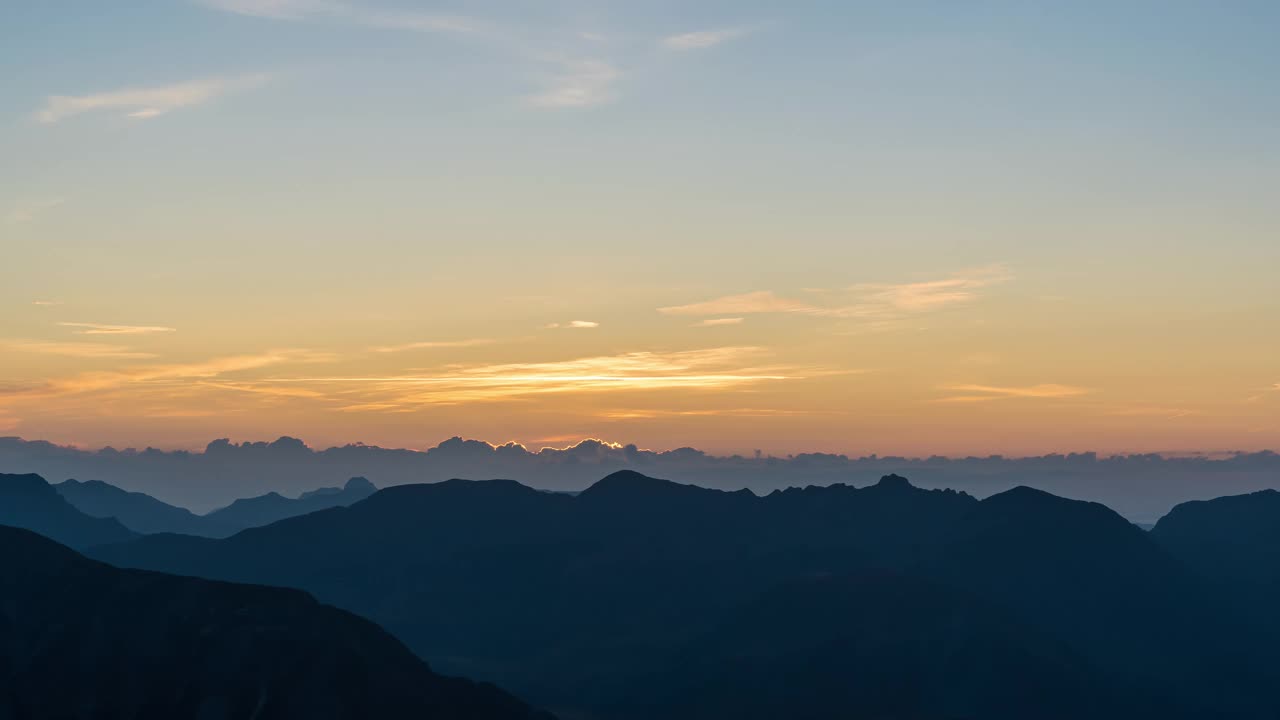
(84, 640)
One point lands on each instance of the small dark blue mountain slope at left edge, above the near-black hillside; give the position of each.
(28, 502)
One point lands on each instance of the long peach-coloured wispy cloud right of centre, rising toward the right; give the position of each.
(875, 302)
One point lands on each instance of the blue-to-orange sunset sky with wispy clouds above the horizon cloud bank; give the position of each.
(847, 227)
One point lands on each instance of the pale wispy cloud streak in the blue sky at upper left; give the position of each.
(145, 103)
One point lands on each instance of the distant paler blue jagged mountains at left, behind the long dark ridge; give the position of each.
(148, 516)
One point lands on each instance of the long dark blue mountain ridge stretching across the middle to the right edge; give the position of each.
(643, 596)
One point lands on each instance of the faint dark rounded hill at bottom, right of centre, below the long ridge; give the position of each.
(879, 645)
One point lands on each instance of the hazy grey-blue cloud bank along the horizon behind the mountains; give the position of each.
(1141, 487)
